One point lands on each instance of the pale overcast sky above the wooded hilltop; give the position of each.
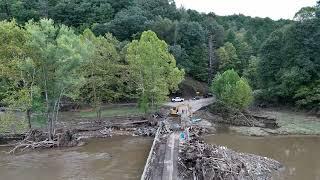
(275, 9)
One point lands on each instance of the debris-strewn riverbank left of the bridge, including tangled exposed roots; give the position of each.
(70, 134)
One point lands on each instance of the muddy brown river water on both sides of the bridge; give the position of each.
(122, 158)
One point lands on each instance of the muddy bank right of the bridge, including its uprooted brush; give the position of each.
(262, 122)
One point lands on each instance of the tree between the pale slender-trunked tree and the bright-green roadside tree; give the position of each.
(103, 71)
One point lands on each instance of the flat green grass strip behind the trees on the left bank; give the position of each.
(114, 111)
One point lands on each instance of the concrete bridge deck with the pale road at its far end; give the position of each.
(163, 157)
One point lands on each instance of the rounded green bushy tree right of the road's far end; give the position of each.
(232, 90)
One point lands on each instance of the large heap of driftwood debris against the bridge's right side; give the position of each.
(201, 161)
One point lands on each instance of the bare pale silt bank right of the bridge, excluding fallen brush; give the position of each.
(288, 122)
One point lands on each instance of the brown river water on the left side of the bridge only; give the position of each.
(118, 158)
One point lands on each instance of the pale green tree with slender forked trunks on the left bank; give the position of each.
(59, 52)
